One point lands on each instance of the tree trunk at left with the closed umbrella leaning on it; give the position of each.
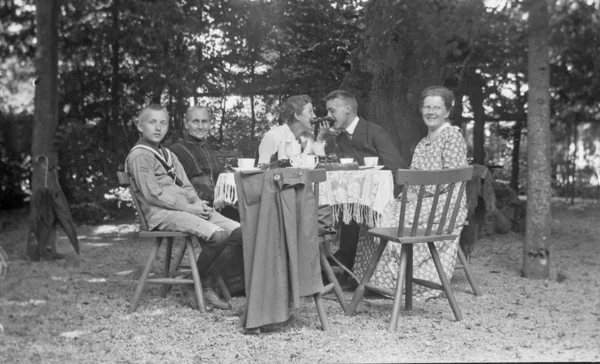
(43, 149)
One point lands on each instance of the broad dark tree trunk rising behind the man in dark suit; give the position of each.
(405, 49)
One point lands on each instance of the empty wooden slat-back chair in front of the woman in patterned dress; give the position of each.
(408, 233)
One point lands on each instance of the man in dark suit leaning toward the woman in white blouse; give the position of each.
(358, 139)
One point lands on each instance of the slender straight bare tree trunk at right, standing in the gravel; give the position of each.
(536, 250)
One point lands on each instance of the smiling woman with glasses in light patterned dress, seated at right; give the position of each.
(443, 148)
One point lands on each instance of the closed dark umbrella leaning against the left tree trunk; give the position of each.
(51, 207)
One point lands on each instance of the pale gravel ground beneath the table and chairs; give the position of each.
(74, 310)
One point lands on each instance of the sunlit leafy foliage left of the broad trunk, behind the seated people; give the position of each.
(119, 55)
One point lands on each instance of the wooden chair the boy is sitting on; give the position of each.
(169, 277)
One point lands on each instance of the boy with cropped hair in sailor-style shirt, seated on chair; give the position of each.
(169, 202)
